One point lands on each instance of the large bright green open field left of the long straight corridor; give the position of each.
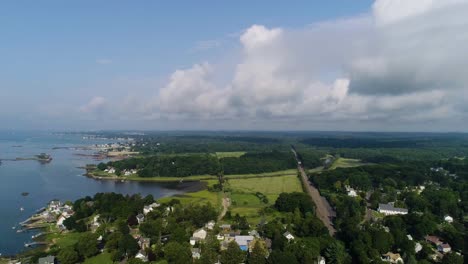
(246, 203)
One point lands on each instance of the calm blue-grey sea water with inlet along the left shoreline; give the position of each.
(60, 179)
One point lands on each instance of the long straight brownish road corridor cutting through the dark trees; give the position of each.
(323, 209)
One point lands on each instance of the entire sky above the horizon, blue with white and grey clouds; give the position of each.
(383, 65)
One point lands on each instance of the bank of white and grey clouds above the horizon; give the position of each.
(402, 63)
